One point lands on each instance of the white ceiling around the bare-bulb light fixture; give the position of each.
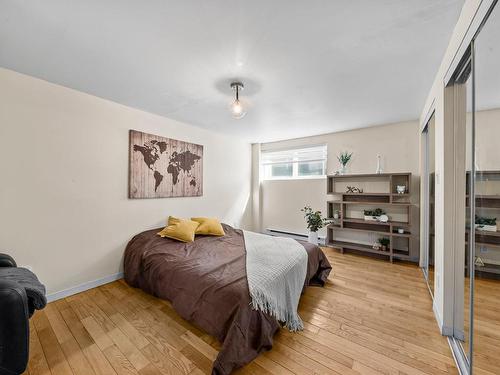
(309, 67)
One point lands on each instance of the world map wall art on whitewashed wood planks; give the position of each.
(162, 167)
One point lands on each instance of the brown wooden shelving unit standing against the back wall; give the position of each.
(379, 191)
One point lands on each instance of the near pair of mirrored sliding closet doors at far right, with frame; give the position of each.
(476, 91)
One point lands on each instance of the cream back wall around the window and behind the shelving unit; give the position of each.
(396, 143)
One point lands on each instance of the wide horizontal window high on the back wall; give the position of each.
(307, 162)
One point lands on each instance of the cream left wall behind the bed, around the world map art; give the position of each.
(63, 191)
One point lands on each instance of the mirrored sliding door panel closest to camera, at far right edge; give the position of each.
(486, 190)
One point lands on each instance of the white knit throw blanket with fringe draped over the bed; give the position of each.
(276, 271)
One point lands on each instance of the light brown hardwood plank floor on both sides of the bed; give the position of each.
(372, 317)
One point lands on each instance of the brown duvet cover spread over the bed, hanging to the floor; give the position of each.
(206, 282)
